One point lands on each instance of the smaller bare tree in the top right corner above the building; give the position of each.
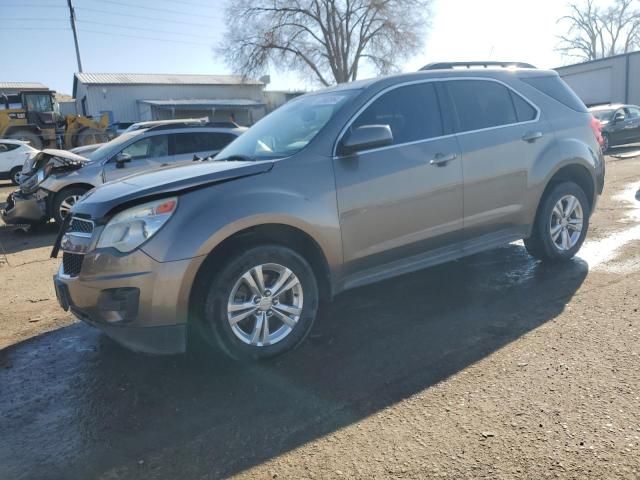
(595, 32)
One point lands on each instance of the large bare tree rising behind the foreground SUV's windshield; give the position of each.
(324, 39)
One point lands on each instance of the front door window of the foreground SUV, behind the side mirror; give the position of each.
(412, 112)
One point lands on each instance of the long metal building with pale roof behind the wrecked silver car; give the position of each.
(128, 97)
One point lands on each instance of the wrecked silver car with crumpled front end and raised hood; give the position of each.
(55, 179)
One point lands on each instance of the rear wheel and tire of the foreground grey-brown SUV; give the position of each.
(545, 242)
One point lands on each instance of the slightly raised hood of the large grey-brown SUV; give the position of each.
(119, 194)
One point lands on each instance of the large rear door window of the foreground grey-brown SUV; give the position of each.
(481, 104)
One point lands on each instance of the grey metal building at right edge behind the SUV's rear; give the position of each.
(609, 80)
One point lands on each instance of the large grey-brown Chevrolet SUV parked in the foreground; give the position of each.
(334, 190)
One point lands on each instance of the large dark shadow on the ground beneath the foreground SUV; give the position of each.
(199, 416)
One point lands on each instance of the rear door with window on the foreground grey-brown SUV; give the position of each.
(501, 135)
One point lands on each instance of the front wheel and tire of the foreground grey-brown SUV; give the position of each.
(244, 340)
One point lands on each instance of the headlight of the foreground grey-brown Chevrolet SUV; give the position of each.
(131, 228)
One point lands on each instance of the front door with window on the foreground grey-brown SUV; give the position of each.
(403, 200)
